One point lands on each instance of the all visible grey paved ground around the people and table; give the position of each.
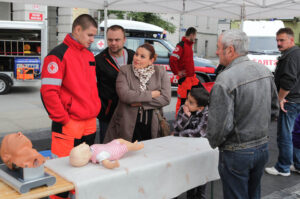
(22, 110)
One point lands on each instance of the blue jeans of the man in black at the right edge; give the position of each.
(285, 127)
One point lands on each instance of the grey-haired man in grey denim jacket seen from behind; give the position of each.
(239, 117)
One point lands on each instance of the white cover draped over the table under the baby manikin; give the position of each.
(164, 168)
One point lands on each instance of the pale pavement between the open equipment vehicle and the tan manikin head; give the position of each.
(22, 109)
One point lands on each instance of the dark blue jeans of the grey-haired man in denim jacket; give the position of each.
(241, 171)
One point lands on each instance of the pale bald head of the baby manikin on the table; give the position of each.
(80, 155)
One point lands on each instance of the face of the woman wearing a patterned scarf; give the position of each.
(141, 58)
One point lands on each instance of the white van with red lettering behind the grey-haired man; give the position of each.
(262, 41)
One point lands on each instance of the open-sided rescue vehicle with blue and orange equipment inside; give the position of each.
(23, 45)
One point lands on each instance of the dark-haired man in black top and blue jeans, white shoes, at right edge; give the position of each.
(287, 80)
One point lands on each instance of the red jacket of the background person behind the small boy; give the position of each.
(182, 58)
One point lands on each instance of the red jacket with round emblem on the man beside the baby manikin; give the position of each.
(69, 85)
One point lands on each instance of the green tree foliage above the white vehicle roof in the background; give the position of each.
(145, 17)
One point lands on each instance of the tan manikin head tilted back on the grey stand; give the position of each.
(17, 152)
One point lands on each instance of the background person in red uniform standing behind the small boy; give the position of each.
(182, 65)
